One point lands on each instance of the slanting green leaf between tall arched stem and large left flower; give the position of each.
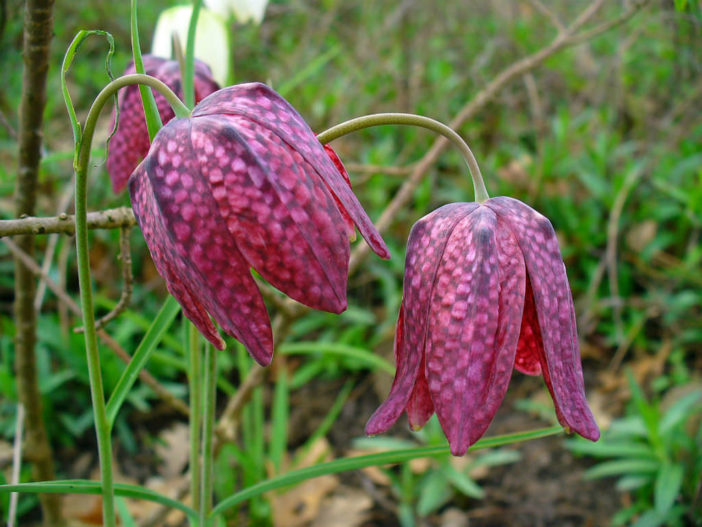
(161, 323)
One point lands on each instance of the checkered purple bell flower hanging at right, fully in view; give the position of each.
(485, 291)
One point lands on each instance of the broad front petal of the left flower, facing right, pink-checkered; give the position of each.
(284, 221)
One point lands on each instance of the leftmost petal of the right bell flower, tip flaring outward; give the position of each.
(425, 249)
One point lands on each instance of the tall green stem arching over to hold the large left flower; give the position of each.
(102, 423)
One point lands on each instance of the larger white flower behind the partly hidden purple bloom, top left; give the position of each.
(211, 38)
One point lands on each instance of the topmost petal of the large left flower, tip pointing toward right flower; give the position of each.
(261, 104)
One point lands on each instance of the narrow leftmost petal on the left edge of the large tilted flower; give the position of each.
(165, 256)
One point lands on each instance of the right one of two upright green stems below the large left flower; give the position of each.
(207, 483)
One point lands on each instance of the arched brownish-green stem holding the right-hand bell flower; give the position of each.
(367, 121)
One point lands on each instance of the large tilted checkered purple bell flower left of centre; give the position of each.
(244, 183)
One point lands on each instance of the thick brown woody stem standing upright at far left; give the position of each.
(38, 30)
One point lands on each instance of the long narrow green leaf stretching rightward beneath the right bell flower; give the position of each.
(384, 458)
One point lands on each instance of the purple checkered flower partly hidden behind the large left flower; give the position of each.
(130, 143)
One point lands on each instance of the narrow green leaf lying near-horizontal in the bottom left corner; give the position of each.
(83, 486)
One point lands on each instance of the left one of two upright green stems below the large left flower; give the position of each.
(195, 388)
